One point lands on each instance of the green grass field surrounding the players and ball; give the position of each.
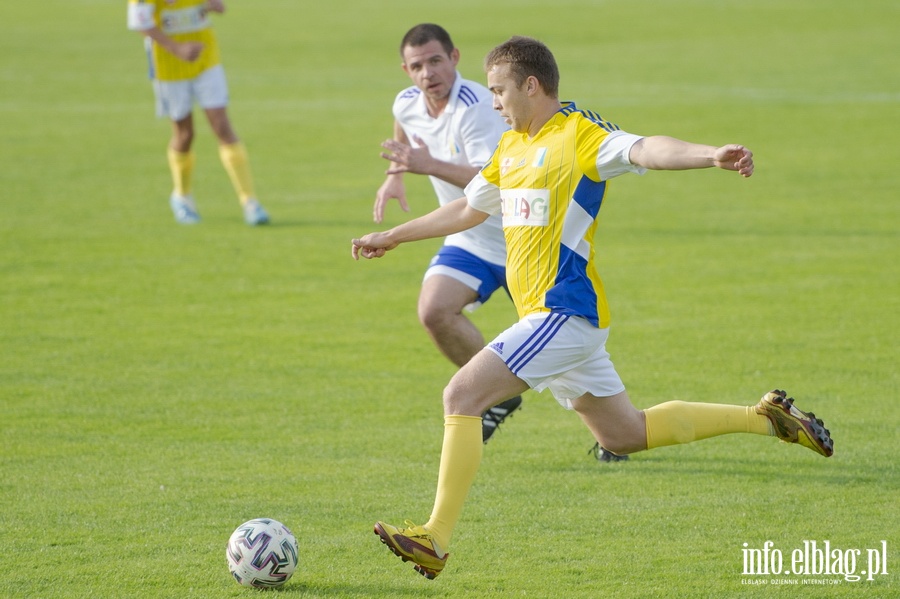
(159, 385)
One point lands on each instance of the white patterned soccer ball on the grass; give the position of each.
(262, 553)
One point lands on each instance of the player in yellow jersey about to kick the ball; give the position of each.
(547, 178)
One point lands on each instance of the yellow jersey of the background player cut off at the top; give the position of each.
(183, 21)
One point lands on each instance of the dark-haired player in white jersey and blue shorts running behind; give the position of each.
(445, 127)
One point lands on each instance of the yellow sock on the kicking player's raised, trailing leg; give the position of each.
(676, 422)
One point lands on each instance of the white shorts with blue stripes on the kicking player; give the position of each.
(566, 354)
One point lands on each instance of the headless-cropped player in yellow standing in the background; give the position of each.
(185, 68)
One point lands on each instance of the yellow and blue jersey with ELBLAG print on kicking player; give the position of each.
(550, 192)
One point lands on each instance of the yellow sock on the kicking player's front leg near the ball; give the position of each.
(460, 458)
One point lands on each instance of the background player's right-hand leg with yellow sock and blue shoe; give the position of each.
(212, 95)
